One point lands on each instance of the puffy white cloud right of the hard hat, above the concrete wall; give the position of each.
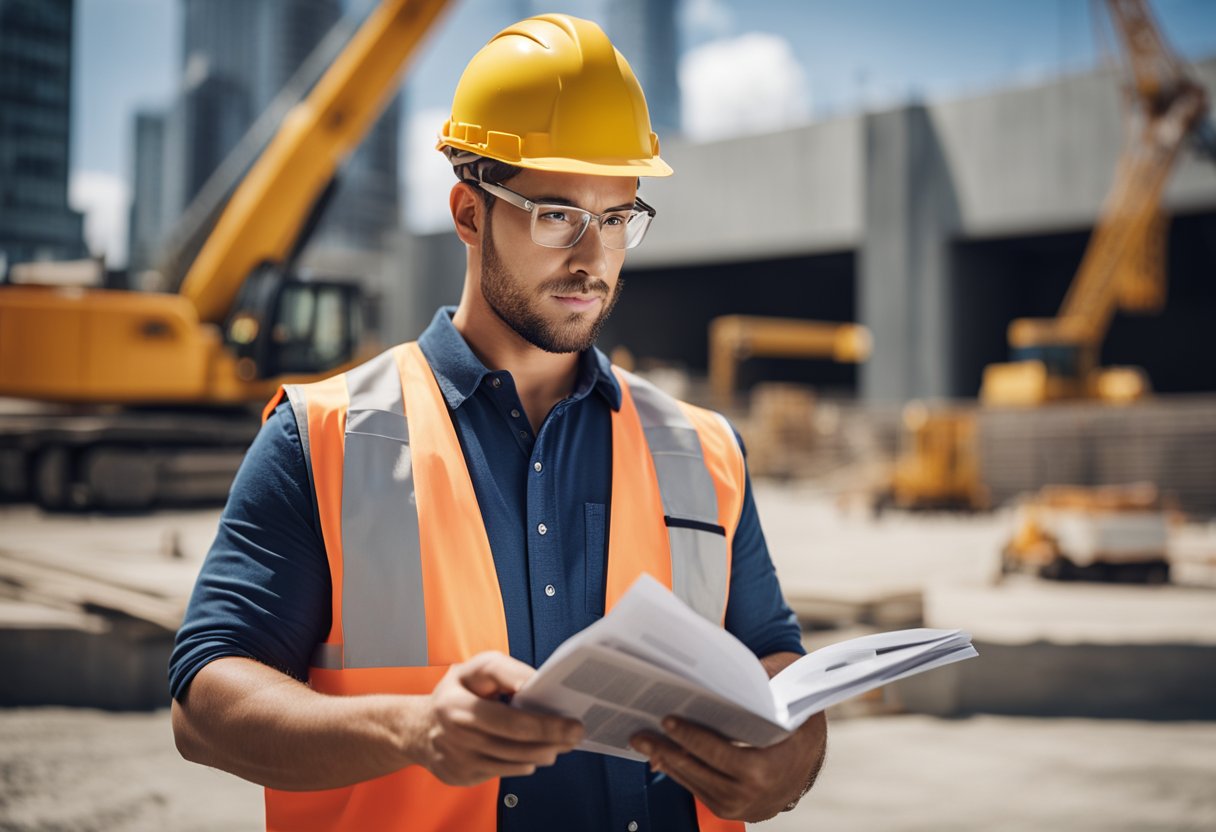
(740, 86)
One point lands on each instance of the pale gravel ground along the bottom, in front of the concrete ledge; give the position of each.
(93, 772)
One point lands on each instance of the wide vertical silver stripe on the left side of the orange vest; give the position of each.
(384, 615)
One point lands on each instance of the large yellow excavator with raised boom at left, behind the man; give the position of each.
(241, 324)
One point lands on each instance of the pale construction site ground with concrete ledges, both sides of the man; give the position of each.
(1089, 709)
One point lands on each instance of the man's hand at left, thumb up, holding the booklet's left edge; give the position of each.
(471, 735)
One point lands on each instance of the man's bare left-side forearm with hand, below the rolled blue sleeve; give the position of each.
(262, 726)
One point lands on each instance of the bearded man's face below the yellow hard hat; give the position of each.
(555, 299)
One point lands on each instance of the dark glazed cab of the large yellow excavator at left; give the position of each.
(283, 325)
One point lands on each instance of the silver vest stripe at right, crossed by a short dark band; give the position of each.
(699, 556)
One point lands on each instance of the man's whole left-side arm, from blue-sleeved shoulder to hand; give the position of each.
(262, 603)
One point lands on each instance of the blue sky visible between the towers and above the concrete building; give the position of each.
(818, 59)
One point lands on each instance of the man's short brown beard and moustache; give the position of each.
(514, 306)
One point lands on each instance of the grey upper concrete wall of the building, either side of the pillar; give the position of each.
(1031, 160)
